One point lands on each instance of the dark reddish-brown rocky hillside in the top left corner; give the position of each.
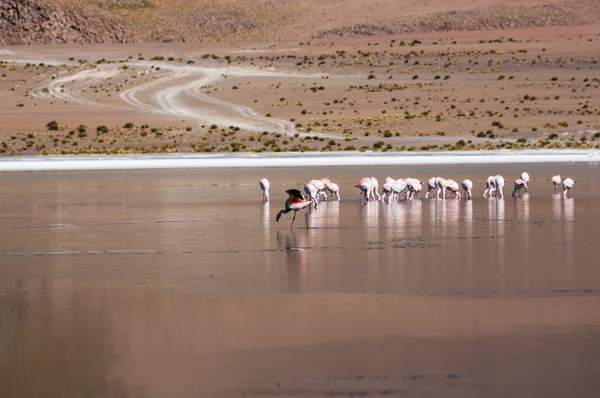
(39, 21)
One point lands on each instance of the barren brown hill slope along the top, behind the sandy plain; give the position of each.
(79, 21)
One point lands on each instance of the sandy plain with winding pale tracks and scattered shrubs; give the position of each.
(533, 88)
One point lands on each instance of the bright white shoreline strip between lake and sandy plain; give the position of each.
(297, 159)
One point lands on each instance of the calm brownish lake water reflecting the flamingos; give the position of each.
(181, 284)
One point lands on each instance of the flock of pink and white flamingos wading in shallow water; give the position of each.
(407, 189)
